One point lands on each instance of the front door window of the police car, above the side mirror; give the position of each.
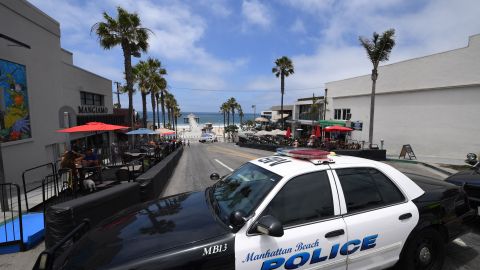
(303, 199)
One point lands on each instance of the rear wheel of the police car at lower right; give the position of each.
(427, 243)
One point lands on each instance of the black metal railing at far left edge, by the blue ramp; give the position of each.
(8, 201)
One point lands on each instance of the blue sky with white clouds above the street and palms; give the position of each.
(216, 49)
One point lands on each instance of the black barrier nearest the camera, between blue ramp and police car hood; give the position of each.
(62, 218)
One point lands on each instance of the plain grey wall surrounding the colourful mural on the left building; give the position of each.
(48, 72)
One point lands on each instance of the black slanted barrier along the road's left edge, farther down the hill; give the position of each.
(154, 180)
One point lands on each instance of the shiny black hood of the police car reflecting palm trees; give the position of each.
(147, 229)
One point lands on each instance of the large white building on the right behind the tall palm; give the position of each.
(431, 102)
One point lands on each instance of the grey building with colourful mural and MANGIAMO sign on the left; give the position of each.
(45, 84)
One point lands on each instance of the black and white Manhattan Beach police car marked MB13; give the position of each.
(298, 210)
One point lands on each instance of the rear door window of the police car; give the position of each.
(366, 188)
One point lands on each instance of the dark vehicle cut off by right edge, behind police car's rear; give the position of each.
(469, 180)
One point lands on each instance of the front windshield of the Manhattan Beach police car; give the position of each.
(243, 190)
